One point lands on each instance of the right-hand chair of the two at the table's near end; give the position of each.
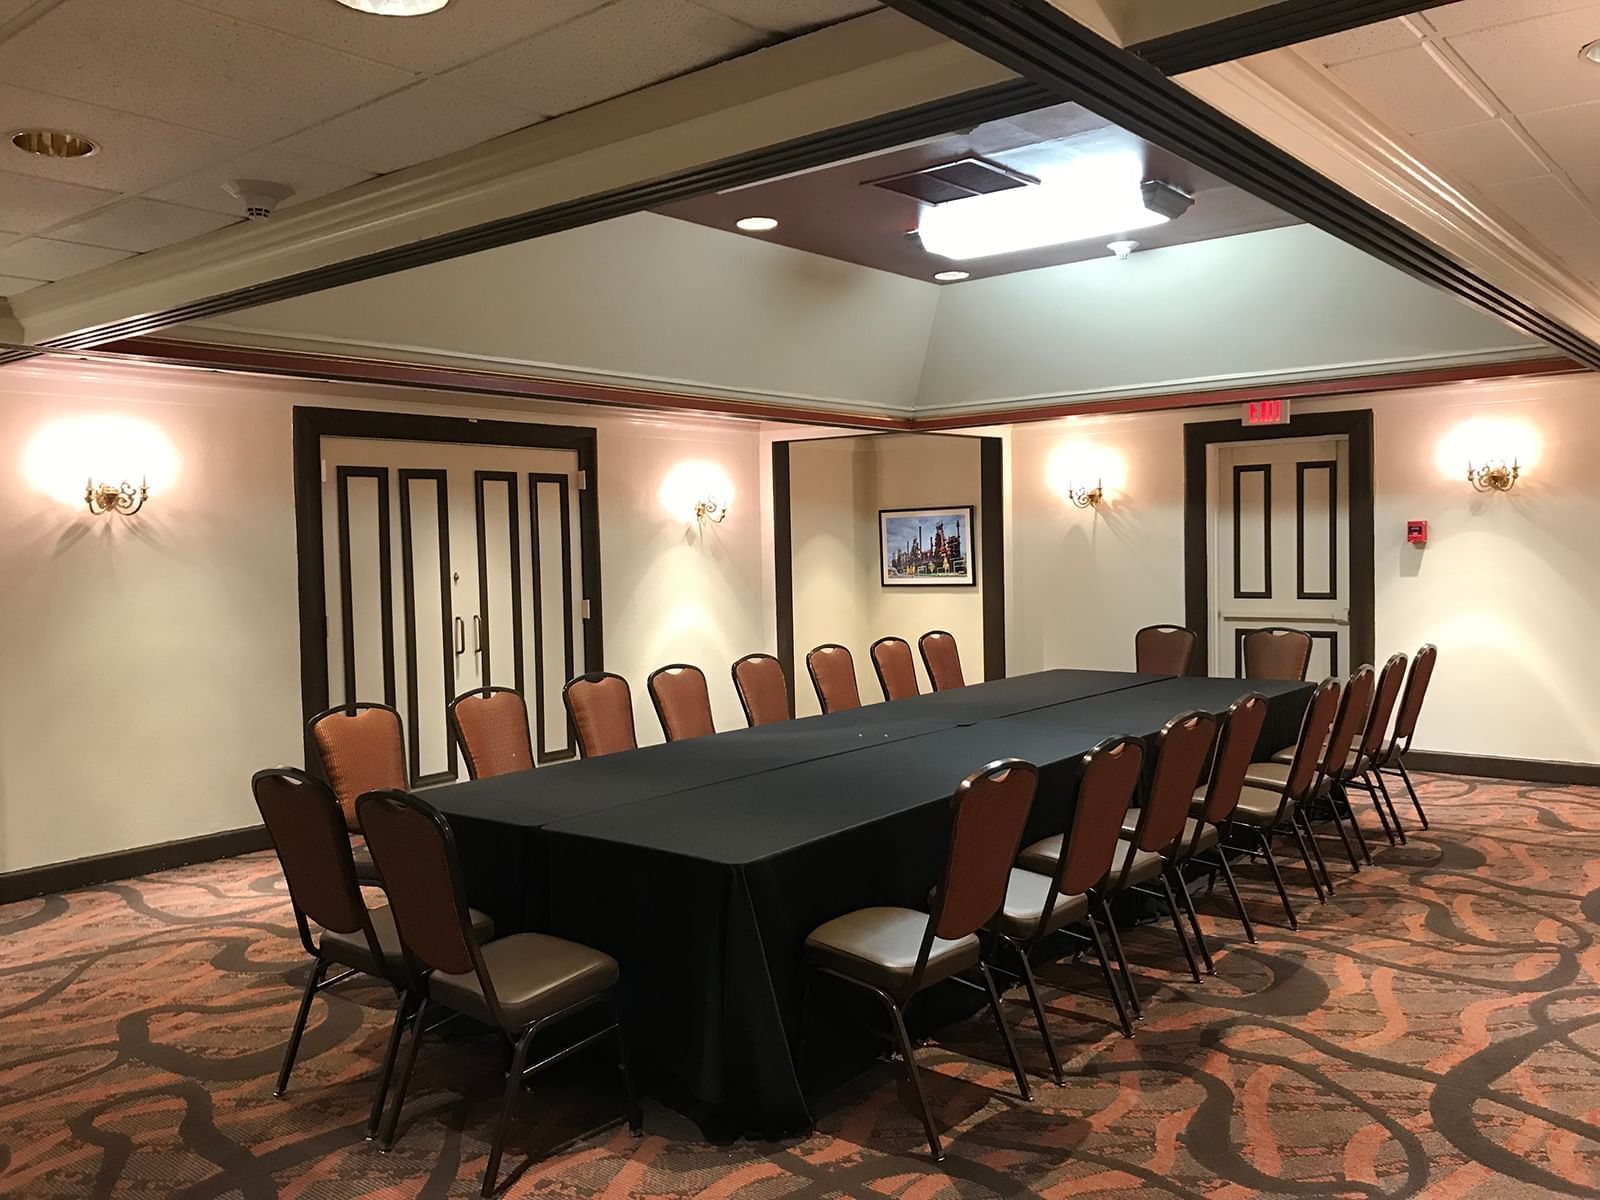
(519, 985)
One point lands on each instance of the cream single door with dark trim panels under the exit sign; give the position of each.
(1279, 537)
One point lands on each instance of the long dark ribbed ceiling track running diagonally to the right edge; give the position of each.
(1042, 44)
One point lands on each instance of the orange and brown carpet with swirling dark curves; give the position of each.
(1431, 1033)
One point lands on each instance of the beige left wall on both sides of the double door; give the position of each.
(154, 663)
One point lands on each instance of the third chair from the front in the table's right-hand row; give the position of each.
(1153, 834)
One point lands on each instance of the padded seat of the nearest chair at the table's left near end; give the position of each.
(534, 975)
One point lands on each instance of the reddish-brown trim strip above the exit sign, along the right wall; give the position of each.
(1310, 390)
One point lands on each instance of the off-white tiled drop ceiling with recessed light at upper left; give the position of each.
(183, 95)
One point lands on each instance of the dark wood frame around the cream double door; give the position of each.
(313, 425)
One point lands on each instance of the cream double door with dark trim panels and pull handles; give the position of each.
(452, 567)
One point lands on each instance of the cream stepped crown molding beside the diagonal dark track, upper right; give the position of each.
(1298, 106)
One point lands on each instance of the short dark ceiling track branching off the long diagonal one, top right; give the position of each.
(1270, 28)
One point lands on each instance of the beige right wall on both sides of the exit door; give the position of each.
(1508, 588)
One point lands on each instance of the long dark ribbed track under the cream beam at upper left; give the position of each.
(870, 137)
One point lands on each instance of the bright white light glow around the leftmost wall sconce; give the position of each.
(66, 454)
